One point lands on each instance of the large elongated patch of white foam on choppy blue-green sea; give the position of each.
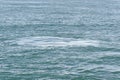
(46, 41)
